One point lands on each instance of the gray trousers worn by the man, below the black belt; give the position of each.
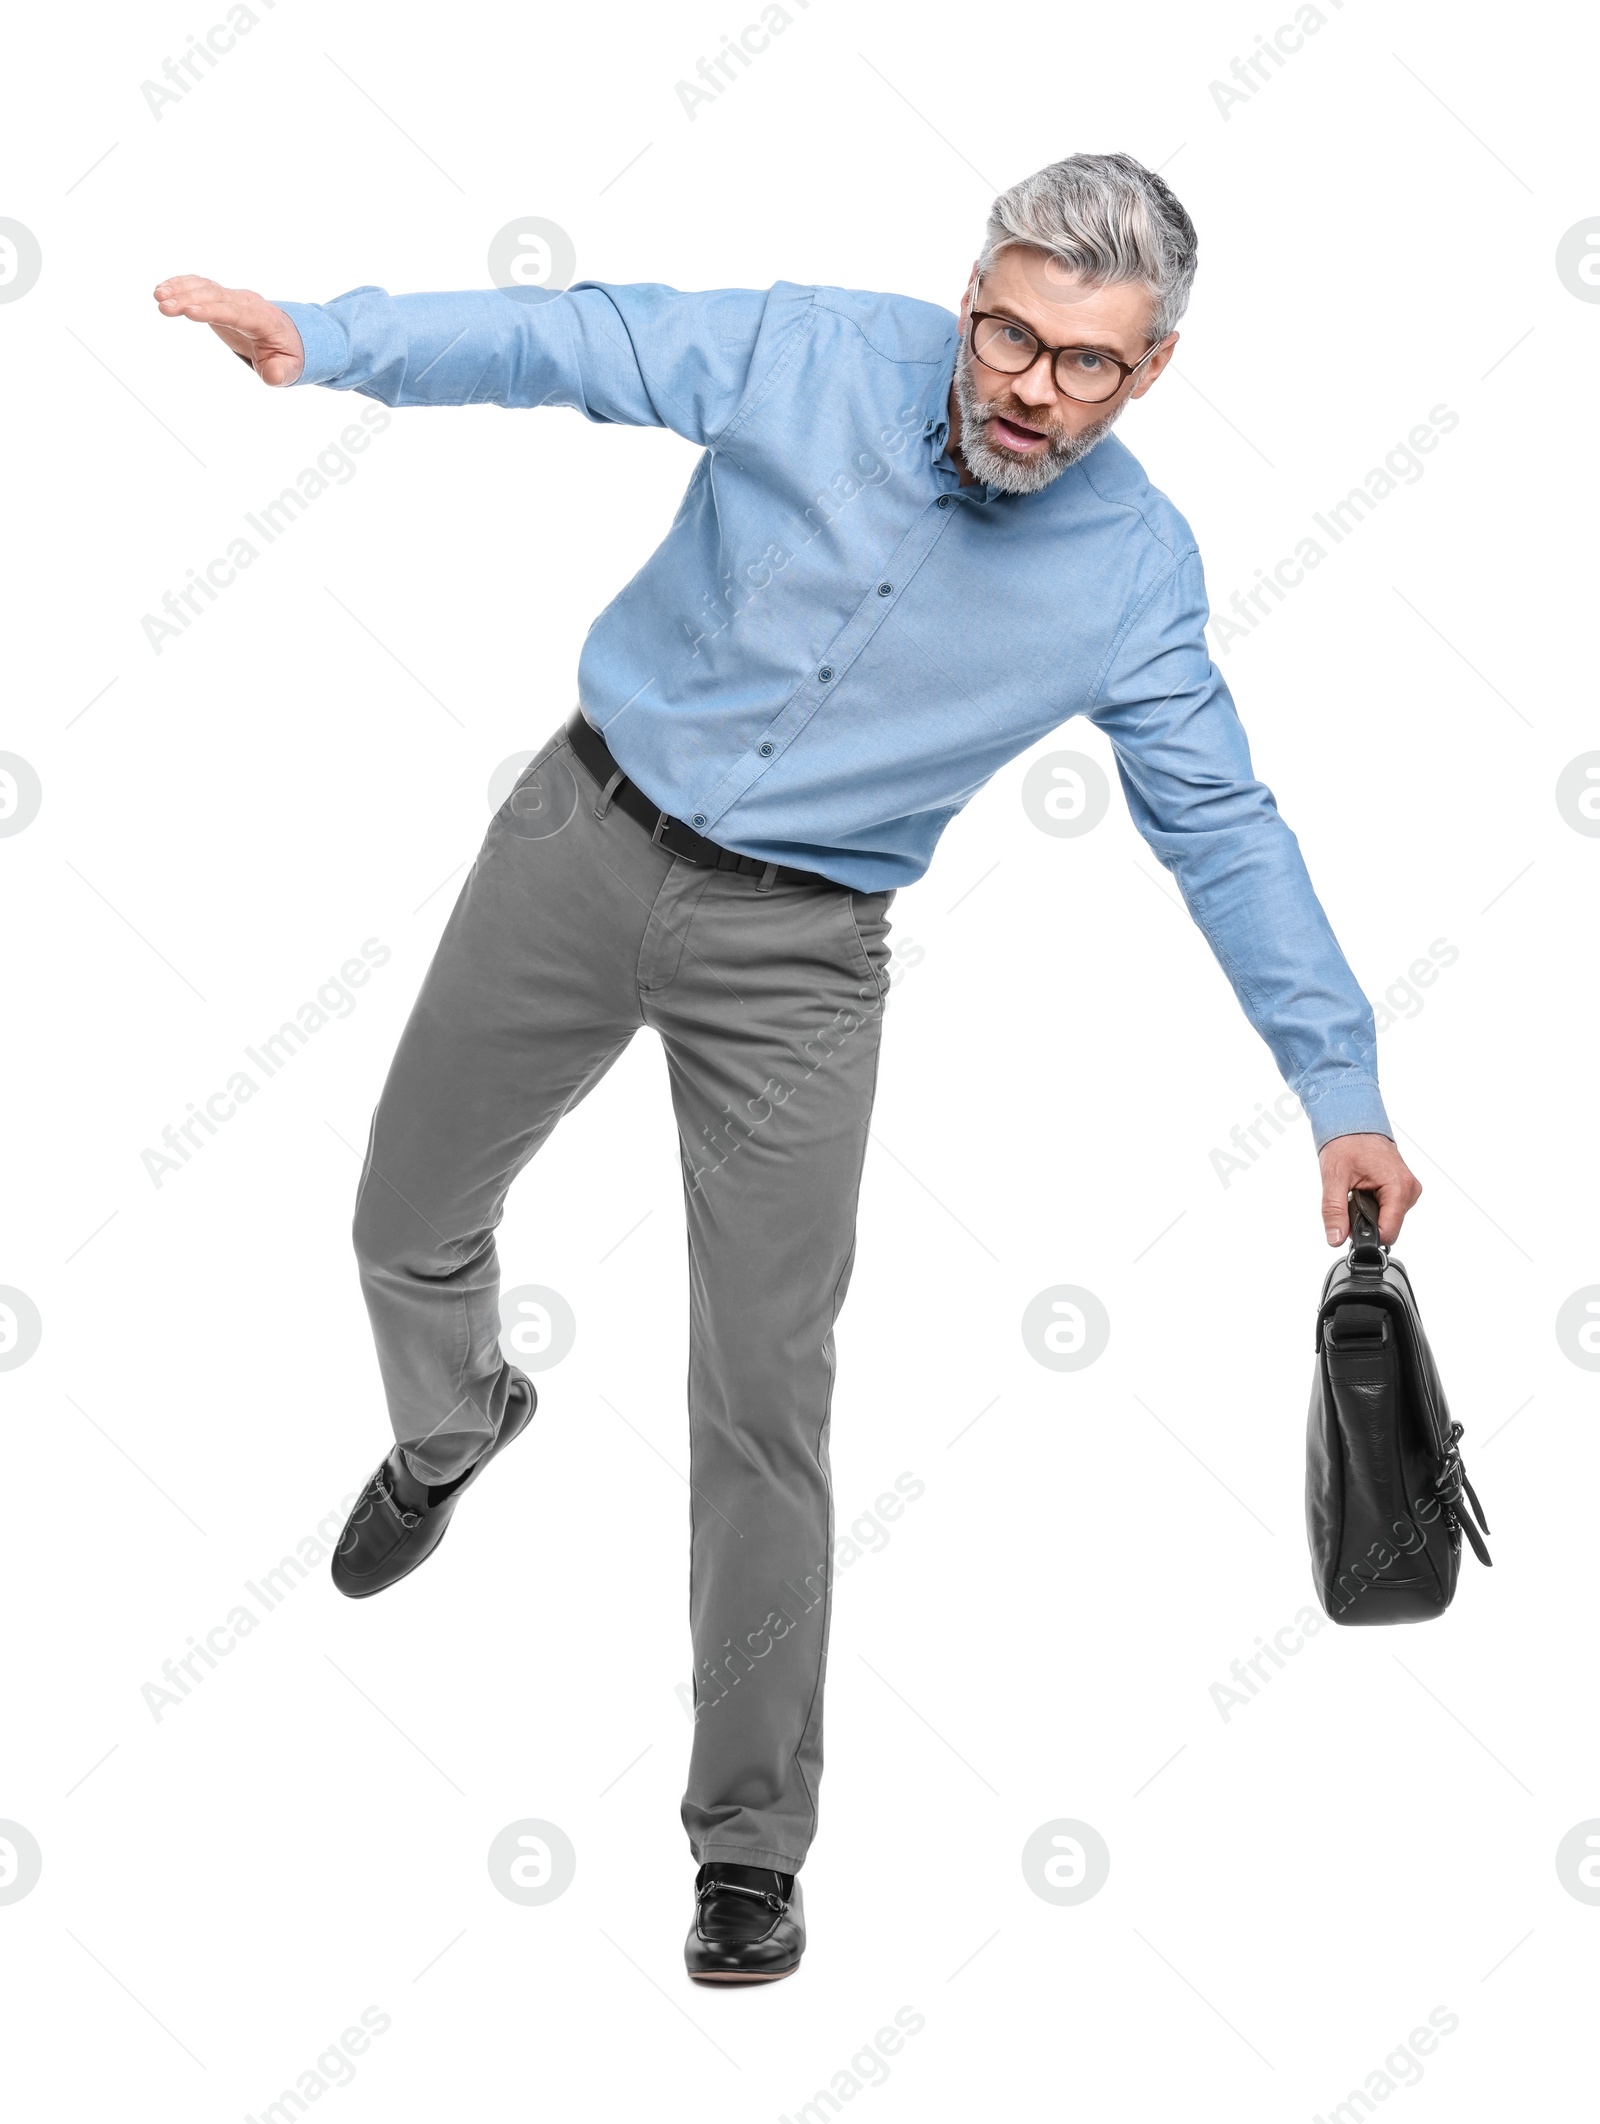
(571, 933)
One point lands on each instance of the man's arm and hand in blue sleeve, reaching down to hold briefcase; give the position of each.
(1195, 798)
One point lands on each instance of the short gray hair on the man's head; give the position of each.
(1106, 220)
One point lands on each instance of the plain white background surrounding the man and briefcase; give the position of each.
(1293, 1889)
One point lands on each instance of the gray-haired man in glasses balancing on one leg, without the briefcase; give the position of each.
(908, 551)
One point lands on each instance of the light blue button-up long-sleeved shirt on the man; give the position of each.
(836, 645)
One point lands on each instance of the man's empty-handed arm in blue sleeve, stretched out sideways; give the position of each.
(645, 356)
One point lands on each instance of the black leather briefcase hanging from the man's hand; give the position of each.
(1386, 1496)
